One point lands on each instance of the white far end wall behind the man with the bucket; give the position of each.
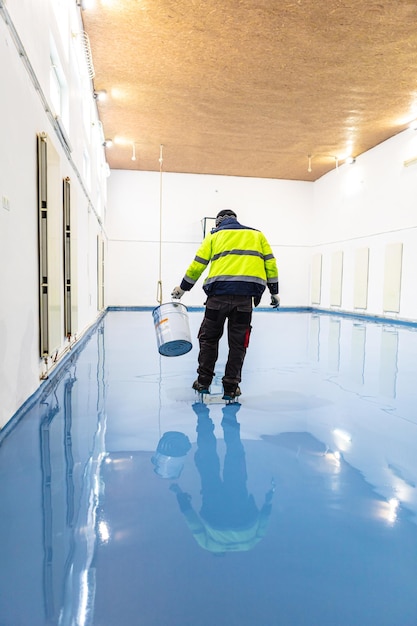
(281, 209)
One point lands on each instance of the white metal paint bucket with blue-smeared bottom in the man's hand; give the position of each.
(172, 329)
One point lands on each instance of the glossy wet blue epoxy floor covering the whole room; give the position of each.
(296, 507)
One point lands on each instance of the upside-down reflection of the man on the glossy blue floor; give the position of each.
(229, 519)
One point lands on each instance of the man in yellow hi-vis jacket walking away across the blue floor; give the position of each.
(242, 265)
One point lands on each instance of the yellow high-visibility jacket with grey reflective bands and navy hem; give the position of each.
(241, 262)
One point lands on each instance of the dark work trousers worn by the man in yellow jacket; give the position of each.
(238, 312)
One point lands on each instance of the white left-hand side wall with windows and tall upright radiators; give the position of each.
(22, 117)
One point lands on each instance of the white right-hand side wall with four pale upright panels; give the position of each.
(370, 204)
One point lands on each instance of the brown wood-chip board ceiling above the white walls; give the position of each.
(251, 87)
